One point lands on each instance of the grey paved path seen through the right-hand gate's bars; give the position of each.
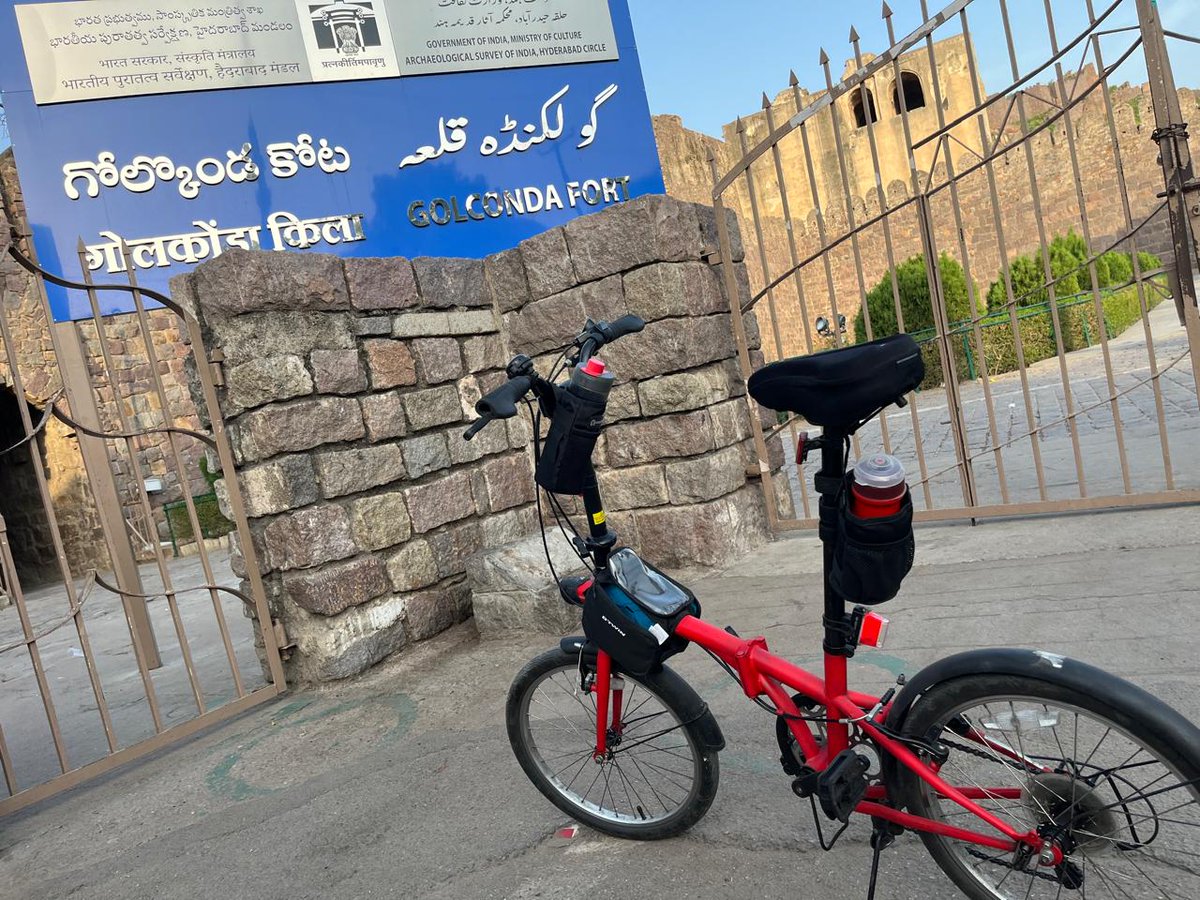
(1138, 412)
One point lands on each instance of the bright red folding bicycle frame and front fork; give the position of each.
(765, 675)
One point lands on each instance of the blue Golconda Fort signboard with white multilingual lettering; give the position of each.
(169, 135)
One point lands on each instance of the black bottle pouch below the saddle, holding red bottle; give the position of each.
(873, 556)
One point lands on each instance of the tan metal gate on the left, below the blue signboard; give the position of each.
(123, 649)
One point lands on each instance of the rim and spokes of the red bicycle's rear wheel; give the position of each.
(1126, 820)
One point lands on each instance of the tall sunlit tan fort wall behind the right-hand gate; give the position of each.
(688, 176)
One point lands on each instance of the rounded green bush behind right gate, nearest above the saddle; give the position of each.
(915, 298)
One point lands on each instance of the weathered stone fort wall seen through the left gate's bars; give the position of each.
(131, 388)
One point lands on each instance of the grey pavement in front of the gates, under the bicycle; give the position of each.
(401, 784)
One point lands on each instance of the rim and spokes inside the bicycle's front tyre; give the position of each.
(651, 773)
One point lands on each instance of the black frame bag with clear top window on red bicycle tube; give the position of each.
(626, 626)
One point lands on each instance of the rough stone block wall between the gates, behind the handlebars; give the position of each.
(349, 386)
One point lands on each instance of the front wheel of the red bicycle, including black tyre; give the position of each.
(657, 779)
